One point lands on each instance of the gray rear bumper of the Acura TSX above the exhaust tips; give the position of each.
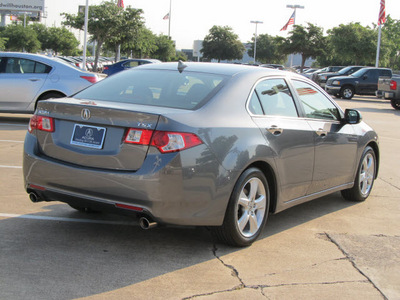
(165, 188)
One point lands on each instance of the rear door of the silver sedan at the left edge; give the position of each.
(20, 82)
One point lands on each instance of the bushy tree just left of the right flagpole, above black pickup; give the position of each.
(352, 44)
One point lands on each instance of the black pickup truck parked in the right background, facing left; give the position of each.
(361, 82)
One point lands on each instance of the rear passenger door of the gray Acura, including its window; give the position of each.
(289, 137)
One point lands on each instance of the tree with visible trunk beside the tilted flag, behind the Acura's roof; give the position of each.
(307, 41)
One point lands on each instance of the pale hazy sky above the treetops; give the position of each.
(192, 20)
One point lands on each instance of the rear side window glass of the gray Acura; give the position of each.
(275, 99)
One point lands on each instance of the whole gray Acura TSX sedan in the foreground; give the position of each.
(199, 144)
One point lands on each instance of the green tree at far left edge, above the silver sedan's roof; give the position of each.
(20, 38)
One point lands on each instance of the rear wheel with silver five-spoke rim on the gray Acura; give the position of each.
(247, 210)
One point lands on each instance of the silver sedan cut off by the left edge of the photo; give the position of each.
(27, 78)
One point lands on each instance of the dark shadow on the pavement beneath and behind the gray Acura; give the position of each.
(58, 259)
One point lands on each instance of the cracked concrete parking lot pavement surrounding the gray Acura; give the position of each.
(325, 249)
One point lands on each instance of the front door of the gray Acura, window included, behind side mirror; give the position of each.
(335, 143)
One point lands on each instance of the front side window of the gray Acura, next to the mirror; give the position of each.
(315, 104)
